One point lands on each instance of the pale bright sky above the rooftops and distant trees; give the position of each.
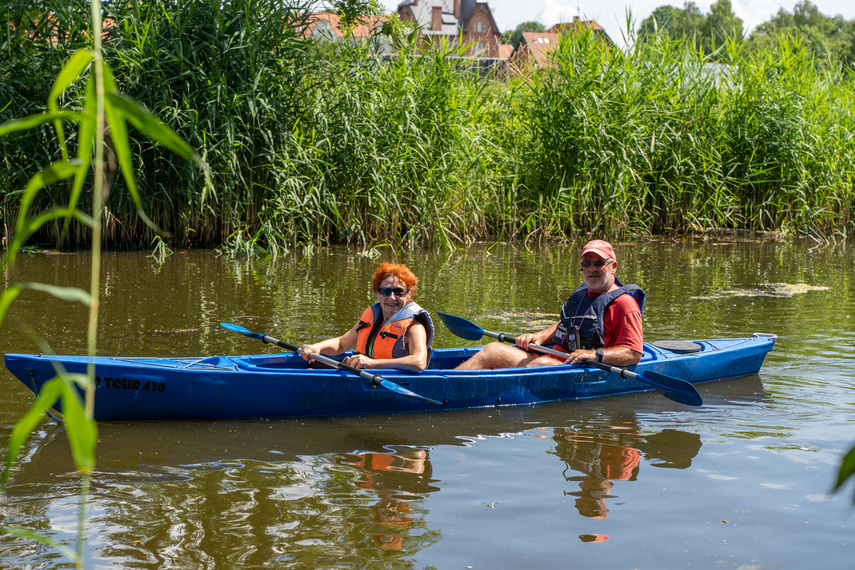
(611, 14)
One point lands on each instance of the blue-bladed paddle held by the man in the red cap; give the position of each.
(672, 388)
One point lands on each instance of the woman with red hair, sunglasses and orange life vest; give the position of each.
(394, 332)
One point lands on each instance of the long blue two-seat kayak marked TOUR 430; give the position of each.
(282, 386)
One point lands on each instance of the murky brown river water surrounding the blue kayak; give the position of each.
(637, 481)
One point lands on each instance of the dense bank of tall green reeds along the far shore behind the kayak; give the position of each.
(312, 144)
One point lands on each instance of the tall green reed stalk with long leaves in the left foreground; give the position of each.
(102, 107)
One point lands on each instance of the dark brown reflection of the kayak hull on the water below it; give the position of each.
(176, 449)
